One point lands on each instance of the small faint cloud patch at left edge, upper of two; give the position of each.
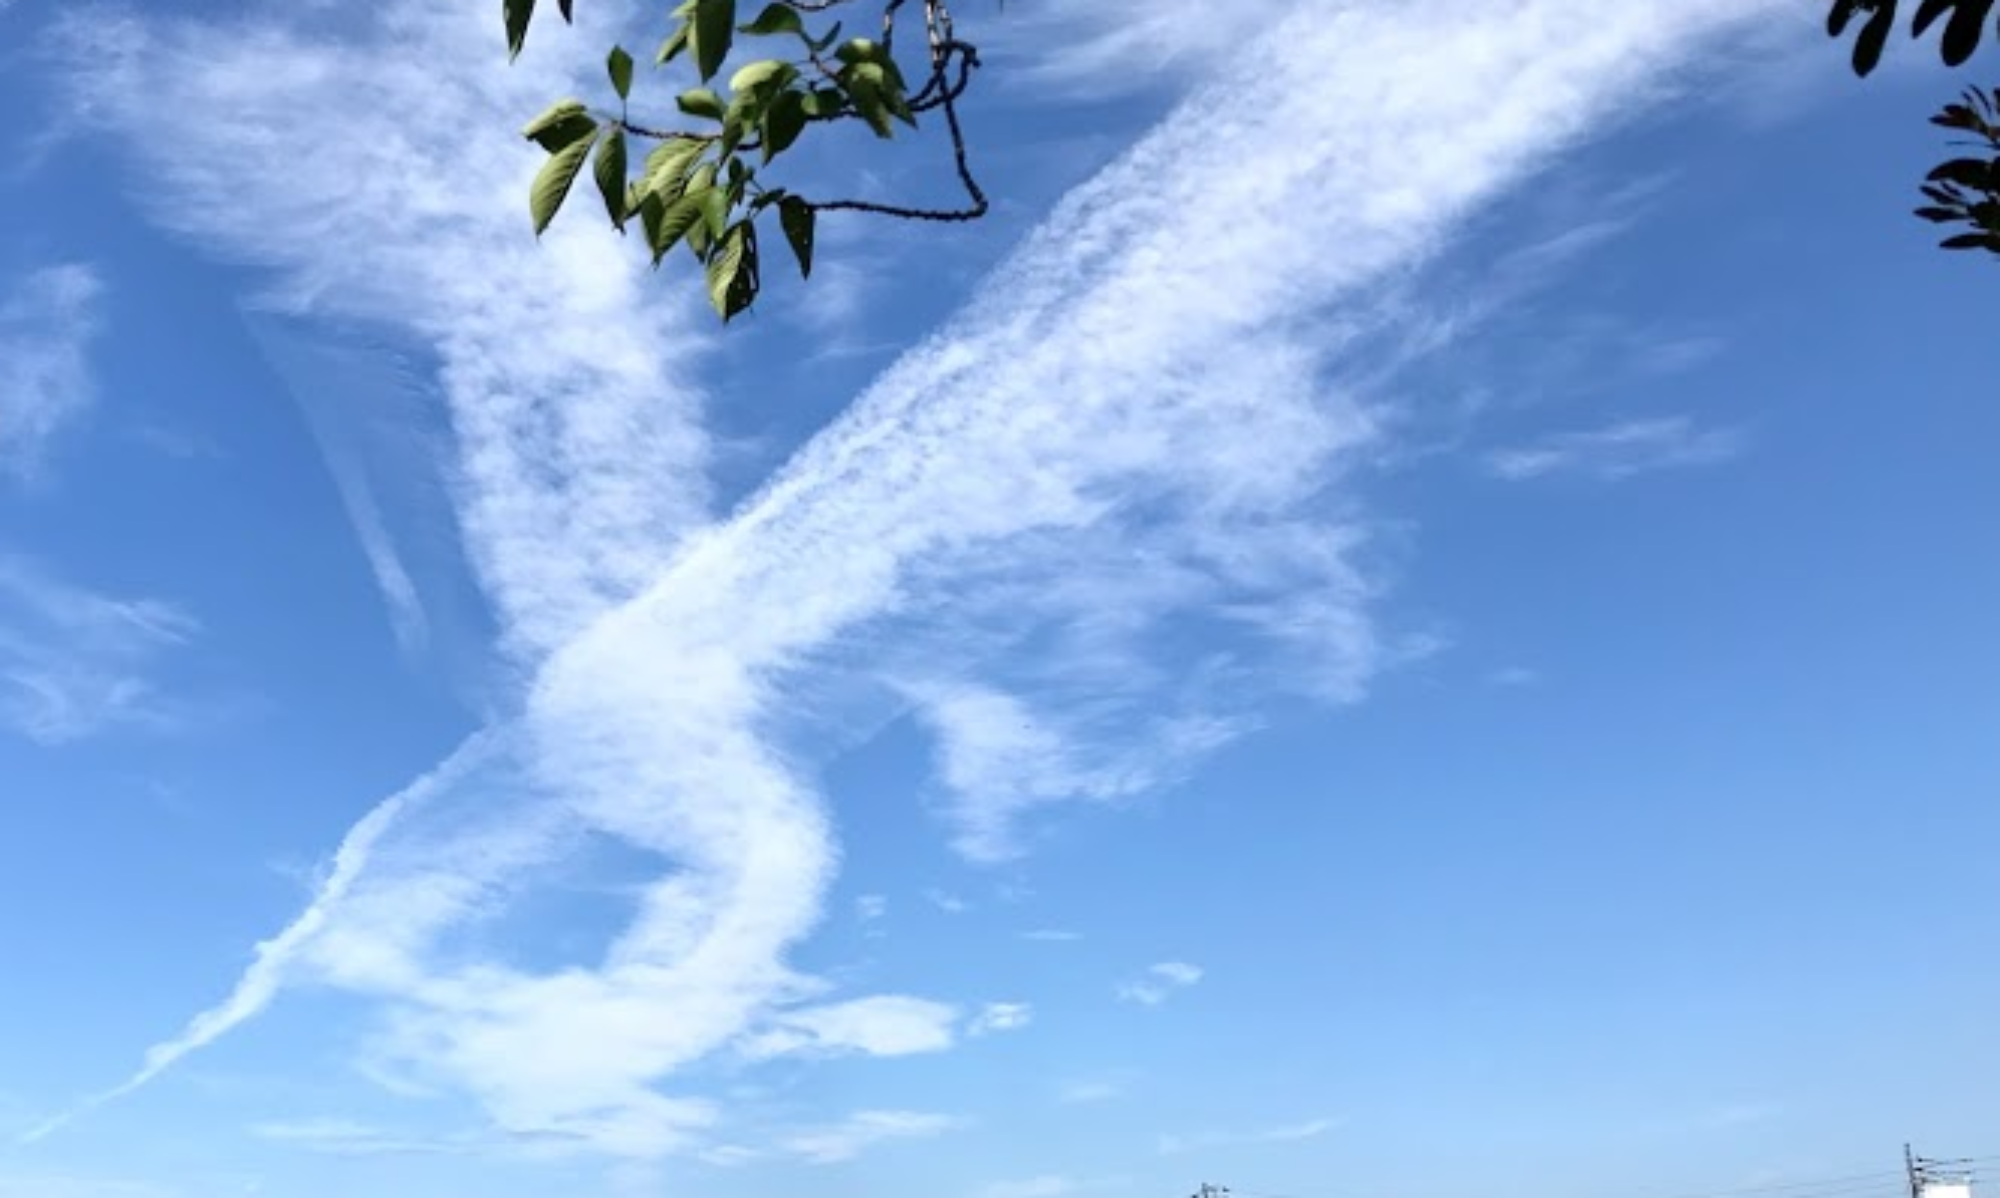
(47, 327)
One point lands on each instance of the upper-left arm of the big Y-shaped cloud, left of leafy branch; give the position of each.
(567, 373)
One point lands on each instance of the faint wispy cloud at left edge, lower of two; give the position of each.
(75, 663)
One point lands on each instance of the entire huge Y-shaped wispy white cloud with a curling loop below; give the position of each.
(1137, 429)
